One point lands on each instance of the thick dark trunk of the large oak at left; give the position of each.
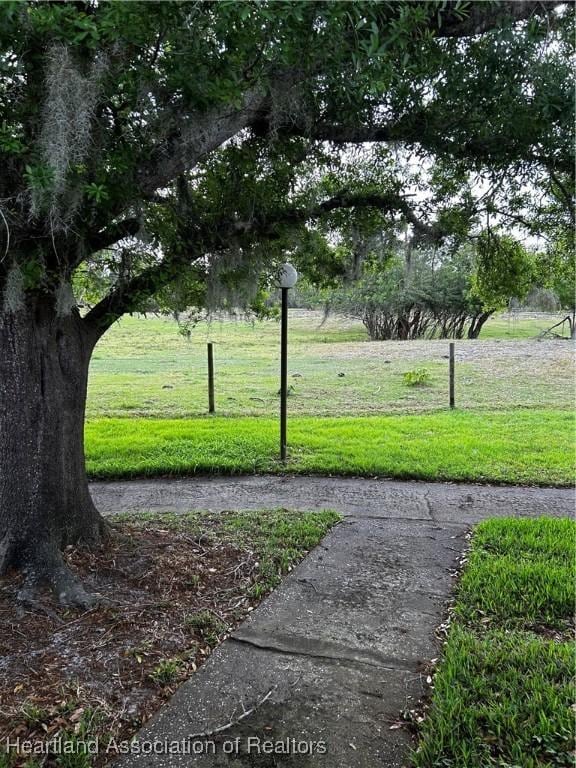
(45, 503)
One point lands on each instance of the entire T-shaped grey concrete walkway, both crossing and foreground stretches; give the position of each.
(321, 670)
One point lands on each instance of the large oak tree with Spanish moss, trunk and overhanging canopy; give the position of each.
(156, 142)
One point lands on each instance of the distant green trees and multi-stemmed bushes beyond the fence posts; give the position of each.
(405, 292)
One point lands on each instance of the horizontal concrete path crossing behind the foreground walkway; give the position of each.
(443, 502)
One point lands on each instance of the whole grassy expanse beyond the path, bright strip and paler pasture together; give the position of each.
(351, 410)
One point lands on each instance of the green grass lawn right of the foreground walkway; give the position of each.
(503, 695)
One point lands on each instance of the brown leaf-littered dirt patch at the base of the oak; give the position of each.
(169, 595)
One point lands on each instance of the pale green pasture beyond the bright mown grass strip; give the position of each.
(145, 368)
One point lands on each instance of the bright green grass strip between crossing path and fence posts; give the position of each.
(528, 446)
